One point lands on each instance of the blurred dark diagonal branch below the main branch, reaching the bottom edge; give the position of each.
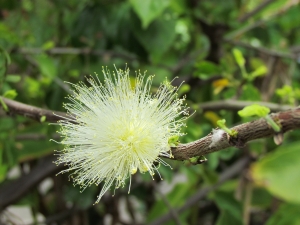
(229, 173)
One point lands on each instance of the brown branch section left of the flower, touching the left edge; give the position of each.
(32, 112)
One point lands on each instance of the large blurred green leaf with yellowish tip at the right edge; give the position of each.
(278, 172)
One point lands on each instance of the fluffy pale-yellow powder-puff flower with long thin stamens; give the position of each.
(118, 128)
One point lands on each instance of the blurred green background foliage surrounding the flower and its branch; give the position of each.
(237, 50)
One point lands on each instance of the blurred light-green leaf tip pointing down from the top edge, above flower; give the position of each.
(148, 10)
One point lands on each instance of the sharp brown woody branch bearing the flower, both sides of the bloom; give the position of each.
(287, 120)
